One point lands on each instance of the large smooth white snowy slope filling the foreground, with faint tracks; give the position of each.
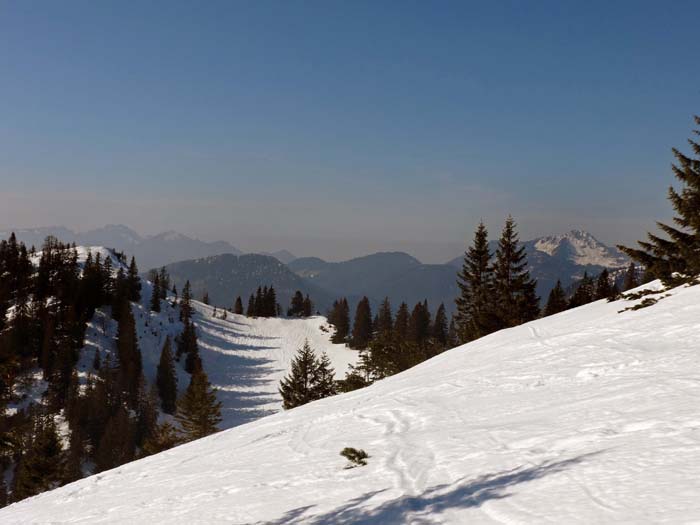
(590, 416)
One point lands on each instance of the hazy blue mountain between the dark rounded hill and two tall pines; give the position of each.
(396, 275)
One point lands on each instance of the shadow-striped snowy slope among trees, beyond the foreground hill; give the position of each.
(244, 358)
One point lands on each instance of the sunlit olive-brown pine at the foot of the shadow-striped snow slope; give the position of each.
(198, 411)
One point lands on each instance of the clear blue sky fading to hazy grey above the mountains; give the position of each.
(335, 128)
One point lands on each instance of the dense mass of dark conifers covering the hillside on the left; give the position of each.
(46, 302)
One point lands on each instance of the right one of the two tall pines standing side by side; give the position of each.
(514, 291)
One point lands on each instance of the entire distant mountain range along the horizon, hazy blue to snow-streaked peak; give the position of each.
(220, 268)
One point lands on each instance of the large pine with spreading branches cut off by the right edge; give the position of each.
(680, 251)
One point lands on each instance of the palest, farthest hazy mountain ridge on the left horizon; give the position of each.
(150, 251)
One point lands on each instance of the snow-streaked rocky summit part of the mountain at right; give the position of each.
(580, 248)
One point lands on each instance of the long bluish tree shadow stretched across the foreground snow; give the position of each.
(422, 508)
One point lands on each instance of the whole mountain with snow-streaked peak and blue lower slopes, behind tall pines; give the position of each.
(565, 257)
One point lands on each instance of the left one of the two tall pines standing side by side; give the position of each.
(475, 308)
